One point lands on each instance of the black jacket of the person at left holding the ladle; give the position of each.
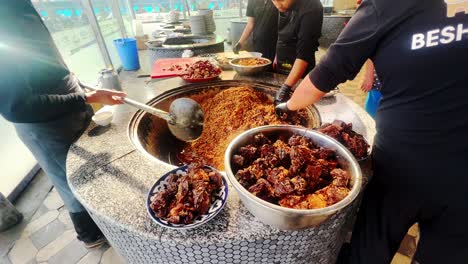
(35, 84)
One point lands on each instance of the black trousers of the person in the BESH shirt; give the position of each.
(422, 187)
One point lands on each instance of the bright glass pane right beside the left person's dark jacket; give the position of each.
(73, 36)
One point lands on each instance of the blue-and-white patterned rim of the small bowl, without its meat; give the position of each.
(216, 206)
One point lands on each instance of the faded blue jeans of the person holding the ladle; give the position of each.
(49, 142)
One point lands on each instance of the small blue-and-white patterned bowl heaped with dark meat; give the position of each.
(187, 197)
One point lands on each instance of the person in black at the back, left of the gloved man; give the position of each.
(263, 25)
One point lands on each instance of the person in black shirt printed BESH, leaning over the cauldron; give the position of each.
(420, 51)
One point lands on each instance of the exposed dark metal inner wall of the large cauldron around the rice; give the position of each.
(151, 135)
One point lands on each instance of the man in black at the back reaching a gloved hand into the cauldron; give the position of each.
(299, 29)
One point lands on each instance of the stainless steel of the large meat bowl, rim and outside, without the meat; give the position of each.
(287, 218)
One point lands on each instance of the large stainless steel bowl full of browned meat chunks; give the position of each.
(287, 185)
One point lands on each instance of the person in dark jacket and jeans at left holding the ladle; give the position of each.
(45, 102)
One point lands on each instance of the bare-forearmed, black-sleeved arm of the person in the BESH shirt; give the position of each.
(344, 58)
